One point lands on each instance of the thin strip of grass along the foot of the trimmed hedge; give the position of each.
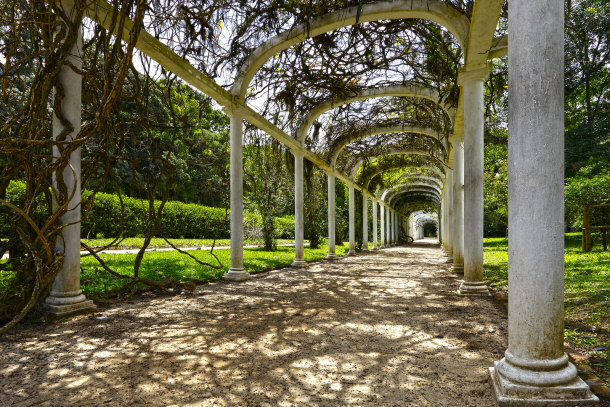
(156, 242)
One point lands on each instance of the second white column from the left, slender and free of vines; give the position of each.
(236, 271)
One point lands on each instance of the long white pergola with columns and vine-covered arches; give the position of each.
(440, 163)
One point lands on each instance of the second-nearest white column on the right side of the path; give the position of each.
(473, 283)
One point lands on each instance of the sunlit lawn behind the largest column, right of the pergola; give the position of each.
(587, 295)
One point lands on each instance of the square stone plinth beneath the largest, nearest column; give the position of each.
(513, 394)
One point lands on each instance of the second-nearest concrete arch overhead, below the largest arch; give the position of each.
(423, 92)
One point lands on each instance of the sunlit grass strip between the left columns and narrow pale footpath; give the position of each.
(95, 281)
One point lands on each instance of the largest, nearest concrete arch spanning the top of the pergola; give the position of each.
(433, 10)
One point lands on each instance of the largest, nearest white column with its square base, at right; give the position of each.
(535, 369)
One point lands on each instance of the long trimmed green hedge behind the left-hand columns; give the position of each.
(178, 220)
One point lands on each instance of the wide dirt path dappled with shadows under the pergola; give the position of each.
(380, 329)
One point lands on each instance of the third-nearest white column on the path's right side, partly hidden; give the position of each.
(458, 208)
